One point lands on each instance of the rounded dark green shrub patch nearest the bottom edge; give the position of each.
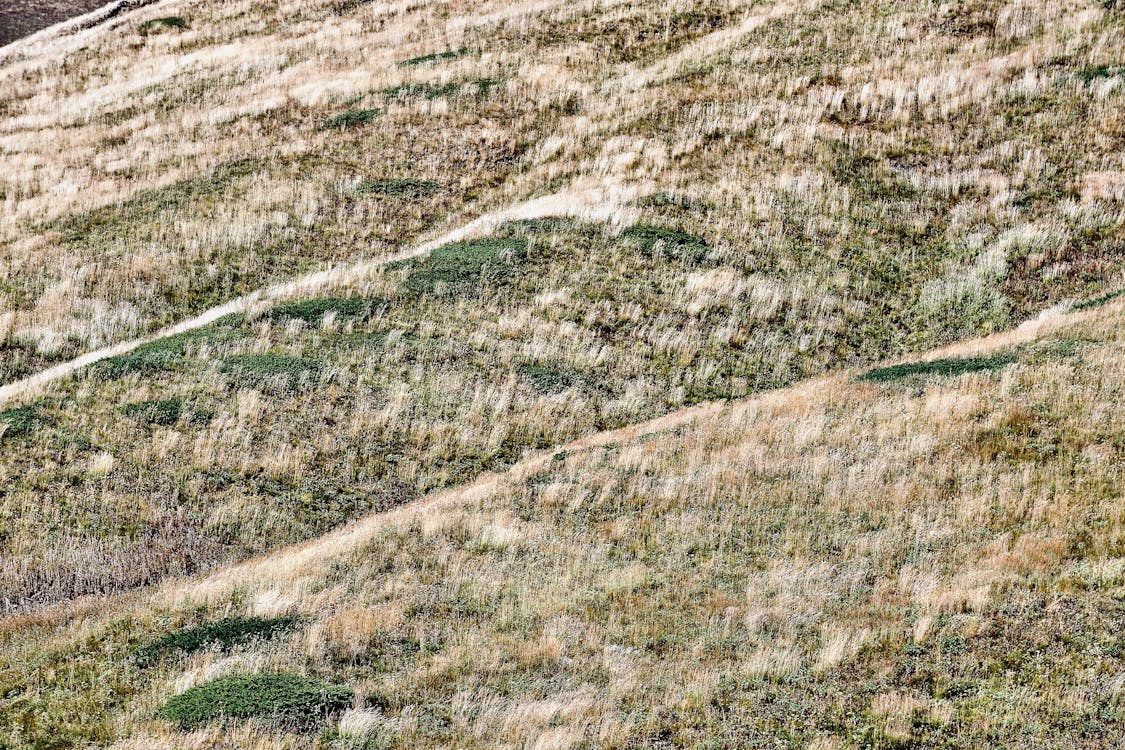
(287, 701)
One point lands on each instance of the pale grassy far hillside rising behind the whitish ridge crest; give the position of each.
(926, 174)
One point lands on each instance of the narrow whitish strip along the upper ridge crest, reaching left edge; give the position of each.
(599, 204)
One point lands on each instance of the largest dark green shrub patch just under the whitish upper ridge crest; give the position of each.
(464, 265)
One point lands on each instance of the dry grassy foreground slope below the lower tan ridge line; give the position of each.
(932, 562)
